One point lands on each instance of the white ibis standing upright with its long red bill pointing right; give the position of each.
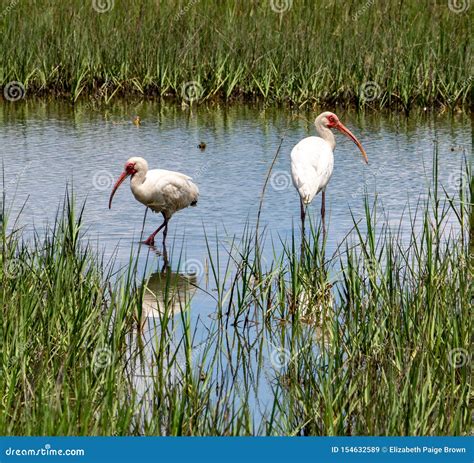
(312, 161)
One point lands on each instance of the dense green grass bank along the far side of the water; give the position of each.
(399, 53)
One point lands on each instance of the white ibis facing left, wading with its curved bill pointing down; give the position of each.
(163, 191)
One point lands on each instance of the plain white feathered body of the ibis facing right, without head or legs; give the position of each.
(311, 167)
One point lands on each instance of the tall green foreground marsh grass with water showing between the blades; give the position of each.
(373, 340)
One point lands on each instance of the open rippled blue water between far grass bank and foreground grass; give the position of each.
(47, 147)
